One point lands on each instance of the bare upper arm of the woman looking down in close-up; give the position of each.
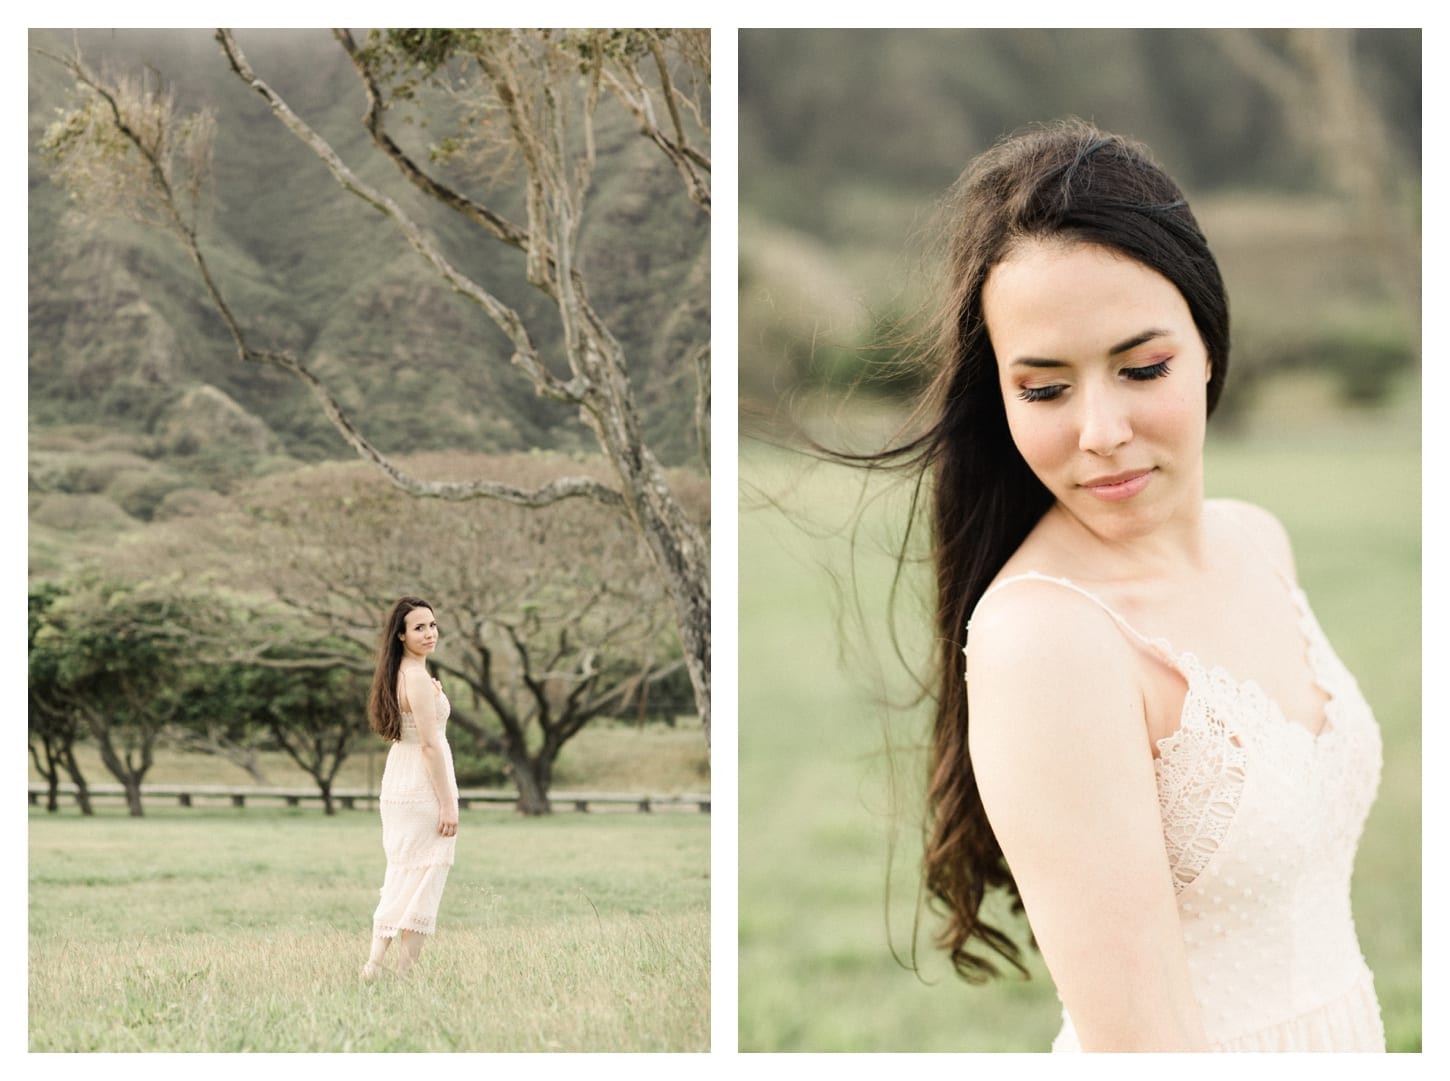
(1065, 767)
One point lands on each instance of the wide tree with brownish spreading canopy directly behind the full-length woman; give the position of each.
(550, 617)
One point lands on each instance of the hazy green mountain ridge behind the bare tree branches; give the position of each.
(124, 341)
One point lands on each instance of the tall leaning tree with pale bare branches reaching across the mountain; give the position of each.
(128, 147)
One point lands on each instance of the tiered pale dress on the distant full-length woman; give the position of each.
(418, 857)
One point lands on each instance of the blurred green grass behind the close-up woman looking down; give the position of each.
(829, 847)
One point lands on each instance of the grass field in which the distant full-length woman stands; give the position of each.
(217, 930)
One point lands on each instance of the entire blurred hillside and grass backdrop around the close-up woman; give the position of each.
(1300, 156)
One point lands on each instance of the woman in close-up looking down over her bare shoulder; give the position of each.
(1165, 761)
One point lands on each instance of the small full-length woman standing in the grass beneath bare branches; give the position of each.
(420, 796)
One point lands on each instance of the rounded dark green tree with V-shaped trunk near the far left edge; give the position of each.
(109, 656)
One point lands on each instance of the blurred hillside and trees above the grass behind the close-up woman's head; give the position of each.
(1298, 151)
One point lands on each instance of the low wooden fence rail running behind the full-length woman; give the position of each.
(352, 799)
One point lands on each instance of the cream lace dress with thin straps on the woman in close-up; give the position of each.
(1261, 822)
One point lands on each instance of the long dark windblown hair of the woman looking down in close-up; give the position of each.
(1071, 182)
